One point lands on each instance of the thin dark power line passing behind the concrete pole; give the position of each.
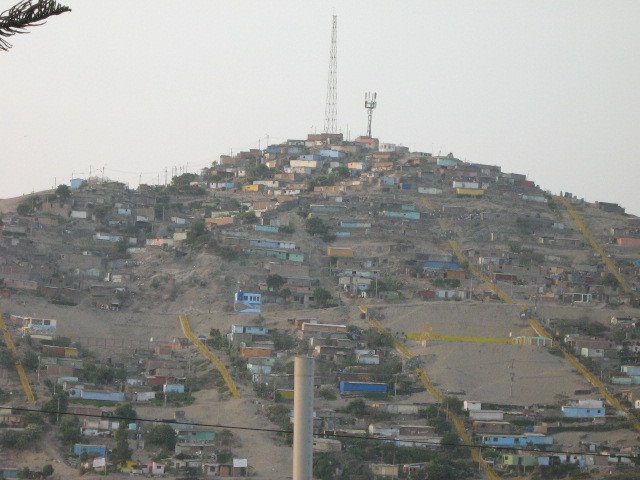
(523, 448)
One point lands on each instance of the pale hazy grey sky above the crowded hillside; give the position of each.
(546, 88)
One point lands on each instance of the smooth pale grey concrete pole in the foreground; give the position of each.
(303, 418)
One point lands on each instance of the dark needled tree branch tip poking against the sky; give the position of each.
(27, 13)
